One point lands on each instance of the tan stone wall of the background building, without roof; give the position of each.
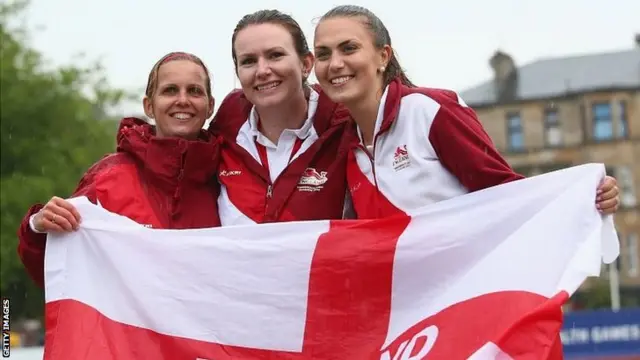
(572, 142)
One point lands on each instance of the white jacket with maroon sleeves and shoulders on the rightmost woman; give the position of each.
(428, 146)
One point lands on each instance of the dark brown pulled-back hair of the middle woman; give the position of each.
(272, 17)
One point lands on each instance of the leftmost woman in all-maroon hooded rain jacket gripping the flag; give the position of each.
(160, 176)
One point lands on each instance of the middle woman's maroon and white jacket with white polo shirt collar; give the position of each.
(303, 177)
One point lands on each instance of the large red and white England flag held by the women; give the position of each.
(481, 276)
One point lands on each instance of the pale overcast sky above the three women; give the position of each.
(439, 43)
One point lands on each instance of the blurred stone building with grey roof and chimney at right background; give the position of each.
(559, 112)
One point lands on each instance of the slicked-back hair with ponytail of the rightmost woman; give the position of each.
(380, 36)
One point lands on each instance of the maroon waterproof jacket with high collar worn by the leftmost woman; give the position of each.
(163, 182)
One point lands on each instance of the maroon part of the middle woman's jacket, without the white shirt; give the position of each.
(287, 199)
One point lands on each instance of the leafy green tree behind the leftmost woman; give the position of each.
(54, 125)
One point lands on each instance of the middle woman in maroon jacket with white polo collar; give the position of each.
(285, 143)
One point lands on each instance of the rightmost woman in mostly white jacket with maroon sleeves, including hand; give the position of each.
(416, 145)
